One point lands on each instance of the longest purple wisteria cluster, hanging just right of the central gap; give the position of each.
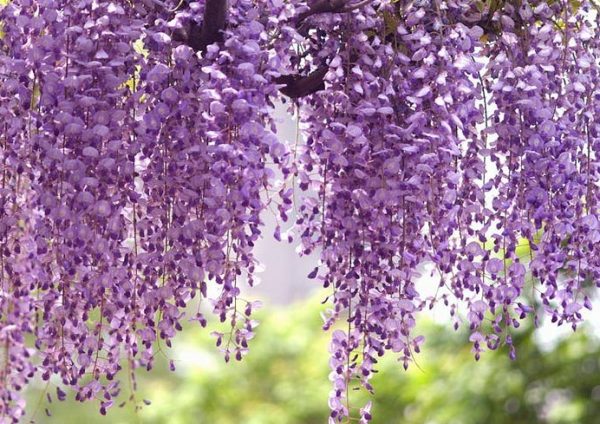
(401, 98)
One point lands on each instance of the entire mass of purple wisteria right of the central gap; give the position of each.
(449, 134)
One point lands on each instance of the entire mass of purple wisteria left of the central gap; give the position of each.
(134, 174)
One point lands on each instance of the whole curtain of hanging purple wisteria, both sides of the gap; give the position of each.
(139, 157)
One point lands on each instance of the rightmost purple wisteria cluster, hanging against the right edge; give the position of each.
(538, 175)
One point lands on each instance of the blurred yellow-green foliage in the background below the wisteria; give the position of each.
(284, 380)
